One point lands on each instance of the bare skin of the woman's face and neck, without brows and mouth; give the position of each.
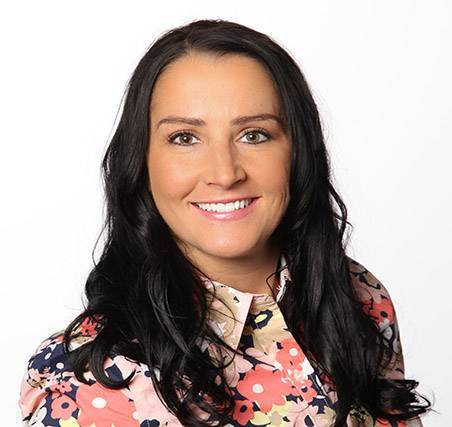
(220, 162)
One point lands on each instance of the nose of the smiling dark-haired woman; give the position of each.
(224, 165)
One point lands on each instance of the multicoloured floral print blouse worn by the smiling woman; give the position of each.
(274, 383)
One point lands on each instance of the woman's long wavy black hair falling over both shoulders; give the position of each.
(139, 289)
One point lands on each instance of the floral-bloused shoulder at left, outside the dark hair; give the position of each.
(51, 395)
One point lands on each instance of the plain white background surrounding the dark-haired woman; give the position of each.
(381, 73)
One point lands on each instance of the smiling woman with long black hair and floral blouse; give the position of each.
(223, 295)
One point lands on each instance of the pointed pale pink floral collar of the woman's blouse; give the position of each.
(228, 303)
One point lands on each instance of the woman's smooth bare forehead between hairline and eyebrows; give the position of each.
(203, 84)
